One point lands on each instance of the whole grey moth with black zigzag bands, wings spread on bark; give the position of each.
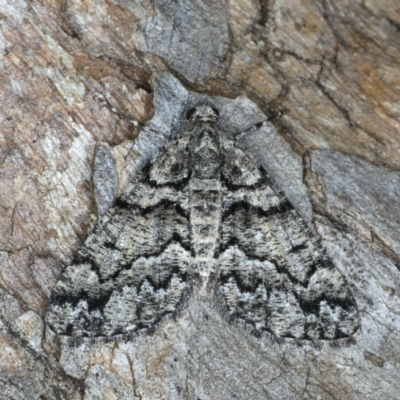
(205, 221)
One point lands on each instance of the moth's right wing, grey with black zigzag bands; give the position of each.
(274, 277)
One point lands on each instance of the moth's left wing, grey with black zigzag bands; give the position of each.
(133, 271)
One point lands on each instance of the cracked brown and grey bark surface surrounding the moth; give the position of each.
(326, 75)
